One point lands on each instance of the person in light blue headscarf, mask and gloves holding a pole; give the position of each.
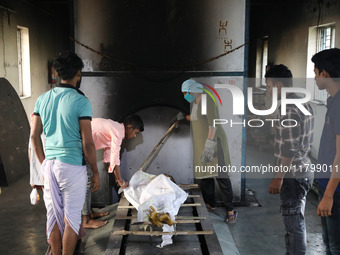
(210, 149)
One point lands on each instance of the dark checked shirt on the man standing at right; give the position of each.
(294, 135)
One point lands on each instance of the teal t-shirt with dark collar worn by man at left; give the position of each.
(60, 109)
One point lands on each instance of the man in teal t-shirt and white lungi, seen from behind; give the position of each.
(64, 115)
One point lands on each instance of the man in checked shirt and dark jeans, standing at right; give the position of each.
(291, 148)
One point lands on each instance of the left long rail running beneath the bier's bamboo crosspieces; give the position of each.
(115, 241)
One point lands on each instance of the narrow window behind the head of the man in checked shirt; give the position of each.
(261, 61)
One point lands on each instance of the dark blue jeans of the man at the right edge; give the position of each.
(331, 226)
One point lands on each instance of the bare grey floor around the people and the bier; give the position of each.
(258, 230)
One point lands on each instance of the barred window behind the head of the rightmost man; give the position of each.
(319, 38)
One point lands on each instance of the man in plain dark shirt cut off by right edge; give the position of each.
(327, 76)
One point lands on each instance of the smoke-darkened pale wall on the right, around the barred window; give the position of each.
(288, 40)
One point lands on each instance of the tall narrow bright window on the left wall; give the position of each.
(24, 62)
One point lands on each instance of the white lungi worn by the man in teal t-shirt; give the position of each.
(64, 194)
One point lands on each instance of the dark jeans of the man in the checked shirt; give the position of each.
(293, 201)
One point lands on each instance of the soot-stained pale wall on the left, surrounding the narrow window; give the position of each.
(43, 40)
